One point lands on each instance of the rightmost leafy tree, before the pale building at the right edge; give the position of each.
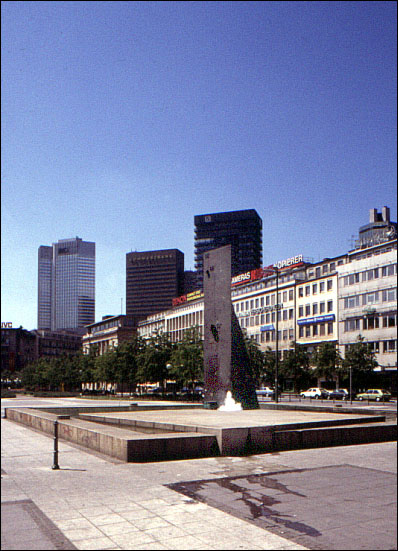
(360, 358)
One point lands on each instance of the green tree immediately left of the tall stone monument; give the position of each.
(187, 359)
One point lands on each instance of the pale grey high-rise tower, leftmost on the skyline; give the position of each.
(66, 285)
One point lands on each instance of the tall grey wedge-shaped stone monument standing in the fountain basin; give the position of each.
(226, 363)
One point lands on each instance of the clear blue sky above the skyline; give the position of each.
(123, 120)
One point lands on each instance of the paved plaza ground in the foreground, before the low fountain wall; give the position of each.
(96, 503)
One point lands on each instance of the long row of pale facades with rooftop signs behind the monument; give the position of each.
(333, 301)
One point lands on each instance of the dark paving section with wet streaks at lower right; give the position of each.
(330, 507)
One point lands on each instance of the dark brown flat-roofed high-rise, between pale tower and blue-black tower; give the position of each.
(153, 279)
